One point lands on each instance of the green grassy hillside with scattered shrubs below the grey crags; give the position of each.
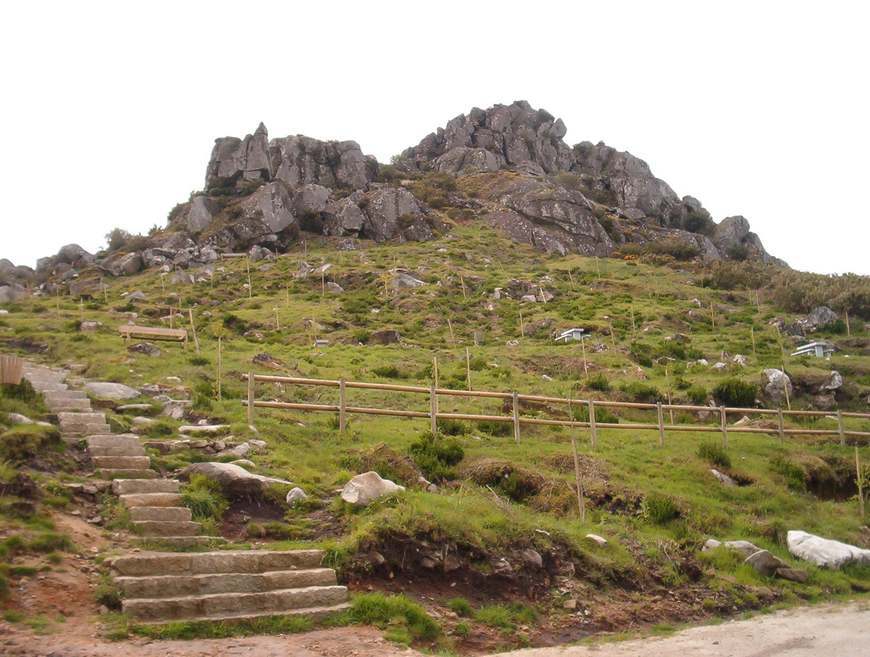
(655, 505)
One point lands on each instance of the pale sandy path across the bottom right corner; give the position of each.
(826, 631)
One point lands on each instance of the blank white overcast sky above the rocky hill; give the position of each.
(109, 109)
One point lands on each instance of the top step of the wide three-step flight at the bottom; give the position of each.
(230, 561)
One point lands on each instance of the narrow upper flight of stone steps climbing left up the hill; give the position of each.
(154, 504)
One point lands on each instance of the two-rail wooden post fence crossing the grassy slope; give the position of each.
(342, 409)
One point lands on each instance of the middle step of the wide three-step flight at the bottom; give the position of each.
(173, 586)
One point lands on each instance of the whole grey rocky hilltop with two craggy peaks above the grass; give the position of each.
(508, 166)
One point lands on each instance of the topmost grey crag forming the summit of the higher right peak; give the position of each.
(488, 140)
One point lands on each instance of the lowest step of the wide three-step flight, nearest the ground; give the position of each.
(188, 607)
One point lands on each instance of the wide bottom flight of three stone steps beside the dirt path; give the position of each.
(215, 586)
